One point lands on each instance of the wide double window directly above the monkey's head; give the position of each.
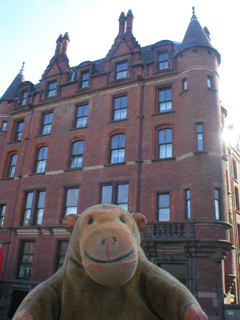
(115, 194)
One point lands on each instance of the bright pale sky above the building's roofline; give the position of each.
(29, 30)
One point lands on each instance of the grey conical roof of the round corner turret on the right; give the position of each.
(196, 37)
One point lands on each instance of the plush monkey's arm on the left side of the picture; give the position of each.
(41, 303)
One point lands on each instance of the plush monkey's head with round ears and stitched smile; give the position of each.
(107, 239)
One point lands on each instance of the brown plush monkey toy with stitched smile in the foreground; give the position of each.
(106, 276)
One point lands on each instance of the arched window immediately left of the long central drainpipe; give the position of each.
(117, 148)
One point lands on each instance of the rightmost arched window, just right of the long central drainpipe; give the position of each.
(165, 143)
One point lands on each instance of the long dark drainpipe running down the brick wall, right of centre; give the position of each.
(139, 160)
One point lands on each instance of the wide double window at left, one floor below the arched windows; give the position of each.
(34, 208)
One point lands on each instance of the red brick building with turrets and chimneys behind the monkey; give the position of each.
(140, 128)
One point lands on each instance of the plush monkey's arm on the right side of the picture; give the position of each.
(169, 298)
